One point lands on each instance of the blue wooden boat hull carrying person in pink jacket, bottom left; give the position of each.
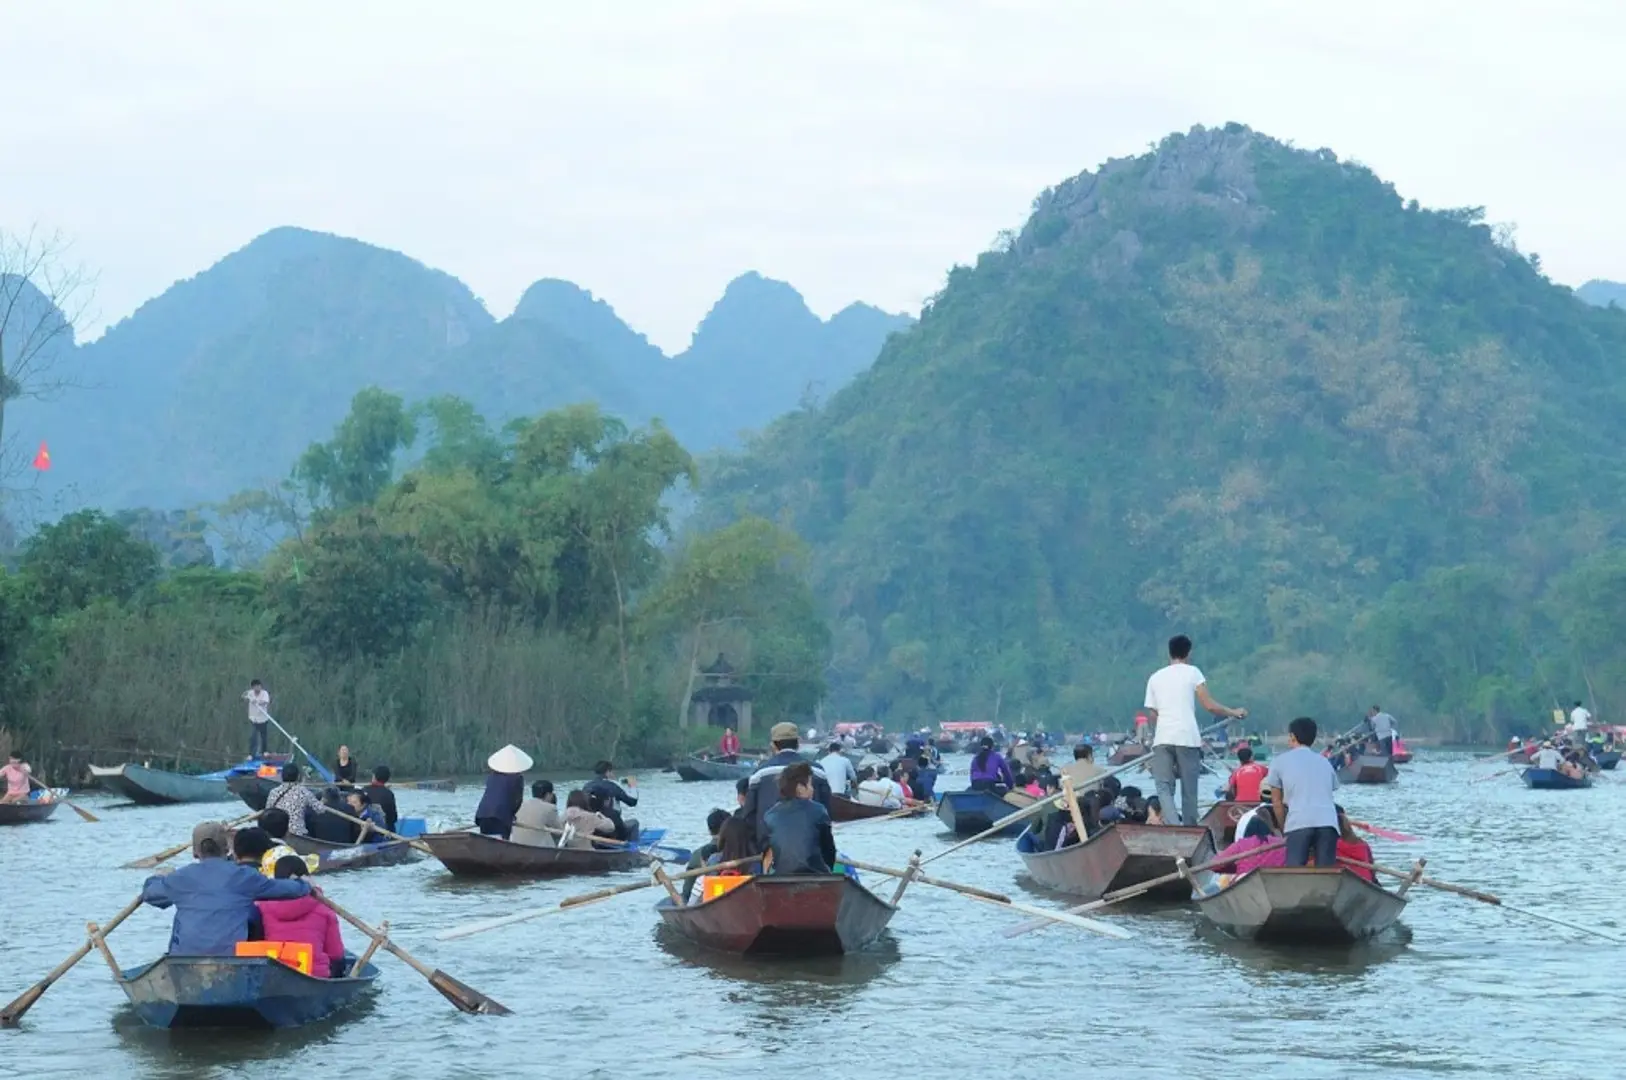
(237, 993)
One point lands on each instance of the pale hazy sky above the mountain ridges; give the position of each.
(654, 150)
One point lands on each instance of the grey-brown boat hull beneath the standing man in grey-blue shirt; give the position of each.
(1300, 907)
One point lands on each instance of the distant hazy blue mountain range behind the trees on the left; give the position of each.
(225, 378)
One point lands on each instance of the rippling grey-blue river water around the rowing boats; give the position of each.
(601, 993)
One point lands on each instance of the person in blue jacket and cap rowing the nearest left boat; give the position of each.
(214, 897)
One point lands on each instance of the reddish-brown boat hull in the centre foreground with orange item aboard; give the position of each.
(785, 917)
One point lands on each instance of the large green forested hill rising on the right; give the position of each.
(1354, 446)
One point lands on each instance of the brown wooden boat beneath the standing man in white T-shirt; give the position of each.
(1121, 856)
